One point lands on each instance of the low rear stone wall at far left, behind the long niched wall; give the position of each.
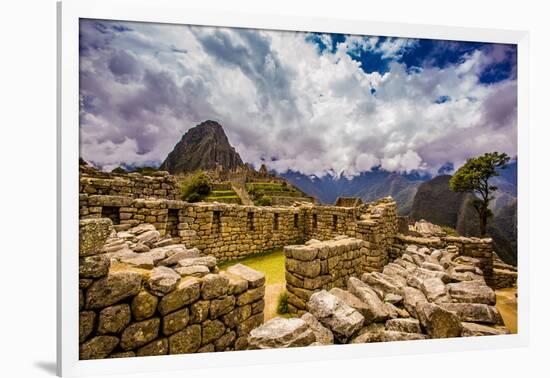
(133, 185)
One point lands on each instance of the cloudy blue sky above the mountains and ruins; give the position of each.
(309, 102)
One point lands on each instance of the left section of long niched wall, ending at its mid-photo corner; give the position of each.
(222, 230)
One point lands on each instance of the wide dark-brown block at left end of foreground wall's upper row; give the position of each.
(112, 289)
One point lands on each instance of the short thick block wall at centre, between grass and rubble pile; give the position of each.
(321, 266)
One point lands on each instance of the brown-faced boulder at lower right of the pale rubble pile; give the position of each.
(438, 322)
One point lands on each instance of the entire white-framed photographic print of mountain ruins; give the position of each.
(239, 188)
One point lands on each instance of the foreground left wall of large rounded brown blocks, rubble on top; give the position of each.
(128, 310)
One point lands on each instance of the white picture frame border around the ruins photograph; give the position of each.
(163, 11)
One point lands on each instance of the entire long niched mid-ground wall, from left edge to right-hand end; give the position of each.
(232, 231)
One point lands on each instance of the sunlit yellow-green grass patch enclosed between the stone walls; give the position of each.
(271, 263)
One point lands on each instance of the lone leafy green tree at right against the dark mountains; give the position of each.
(473, 177)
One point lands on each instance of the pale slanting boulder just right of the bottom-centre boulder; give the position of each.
(343, 320)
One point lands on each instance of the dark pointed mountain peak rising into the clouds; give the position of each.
(203, 147)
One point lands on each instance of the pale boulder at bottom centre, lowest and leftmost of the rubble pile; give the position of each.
(281, 333)
